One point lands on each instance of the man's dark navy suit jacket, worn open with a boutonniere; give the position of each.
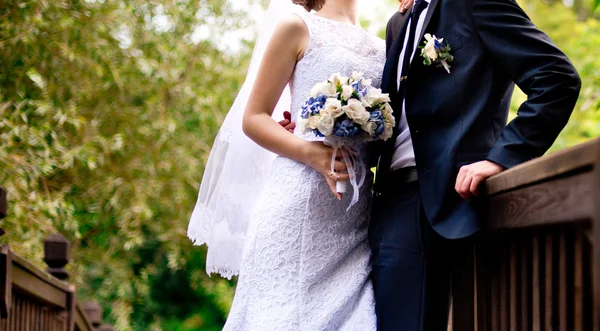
(460, 118)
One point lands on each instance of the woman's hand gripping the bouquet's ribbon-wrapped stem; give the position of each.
(318, 156)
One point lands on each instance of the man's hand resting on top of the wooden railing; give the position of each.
(471, 176)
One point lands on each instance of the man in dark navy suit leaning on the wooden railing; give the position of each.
(450, 137)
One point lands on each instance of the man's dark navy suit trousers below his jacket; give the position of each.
(413, 266)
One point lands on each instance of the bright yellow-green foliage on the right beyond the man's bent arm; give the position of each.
(580, 40)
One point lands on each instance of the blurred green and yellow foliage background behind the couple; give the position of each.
(108, 109)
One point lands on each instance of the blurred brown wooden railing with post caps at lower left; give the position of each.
(32, 300)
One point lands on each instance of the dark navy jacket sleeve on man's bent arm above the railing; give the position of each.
(538, 67)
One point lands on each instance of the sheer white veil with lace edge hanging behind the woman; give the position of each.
(237, 168)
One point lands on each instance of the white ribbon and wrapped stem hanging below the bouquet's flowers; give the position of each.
(354, 163)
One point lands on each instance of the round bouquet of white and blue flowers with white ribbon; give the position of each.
(347, 111)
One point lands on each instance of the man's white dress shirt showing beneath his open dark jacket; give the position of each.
(404, 155)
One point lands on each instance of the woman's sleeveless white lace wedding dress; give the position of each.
(306, 260)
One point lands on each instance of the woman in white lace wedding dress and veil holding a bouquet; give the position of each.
(270, 212)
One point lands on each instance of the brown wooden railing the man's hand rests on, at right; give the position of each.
(536, 266)
